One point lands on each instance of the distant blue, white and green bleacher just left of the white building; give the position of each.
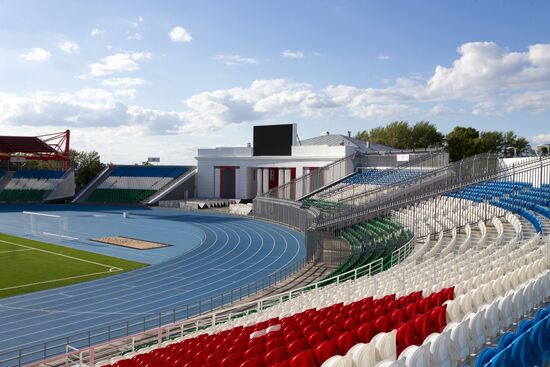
(133, 184)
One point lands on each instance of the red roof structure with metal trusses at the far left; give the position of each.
(50, 147)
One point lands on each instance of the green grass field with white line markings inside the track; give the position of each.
(29, 266)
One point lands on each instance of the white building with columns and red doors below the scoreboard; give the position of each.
(235, 172)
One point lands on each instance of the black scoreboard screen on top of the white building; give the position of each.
(273, 140)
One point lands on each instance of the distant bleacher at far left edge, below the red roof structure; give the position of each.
(30, 186)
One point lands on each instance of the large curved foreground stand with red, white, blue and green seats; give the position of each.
(476, 266)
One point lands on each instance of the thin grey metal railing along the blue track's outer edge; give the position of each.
(54, 347)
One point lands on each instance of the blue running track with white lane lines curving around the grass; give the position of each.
(210, 254)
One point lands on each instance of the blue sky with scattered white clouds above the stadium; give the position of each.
(137, 79)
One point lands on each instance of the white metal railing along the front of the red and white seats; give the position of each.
(102, 351)
